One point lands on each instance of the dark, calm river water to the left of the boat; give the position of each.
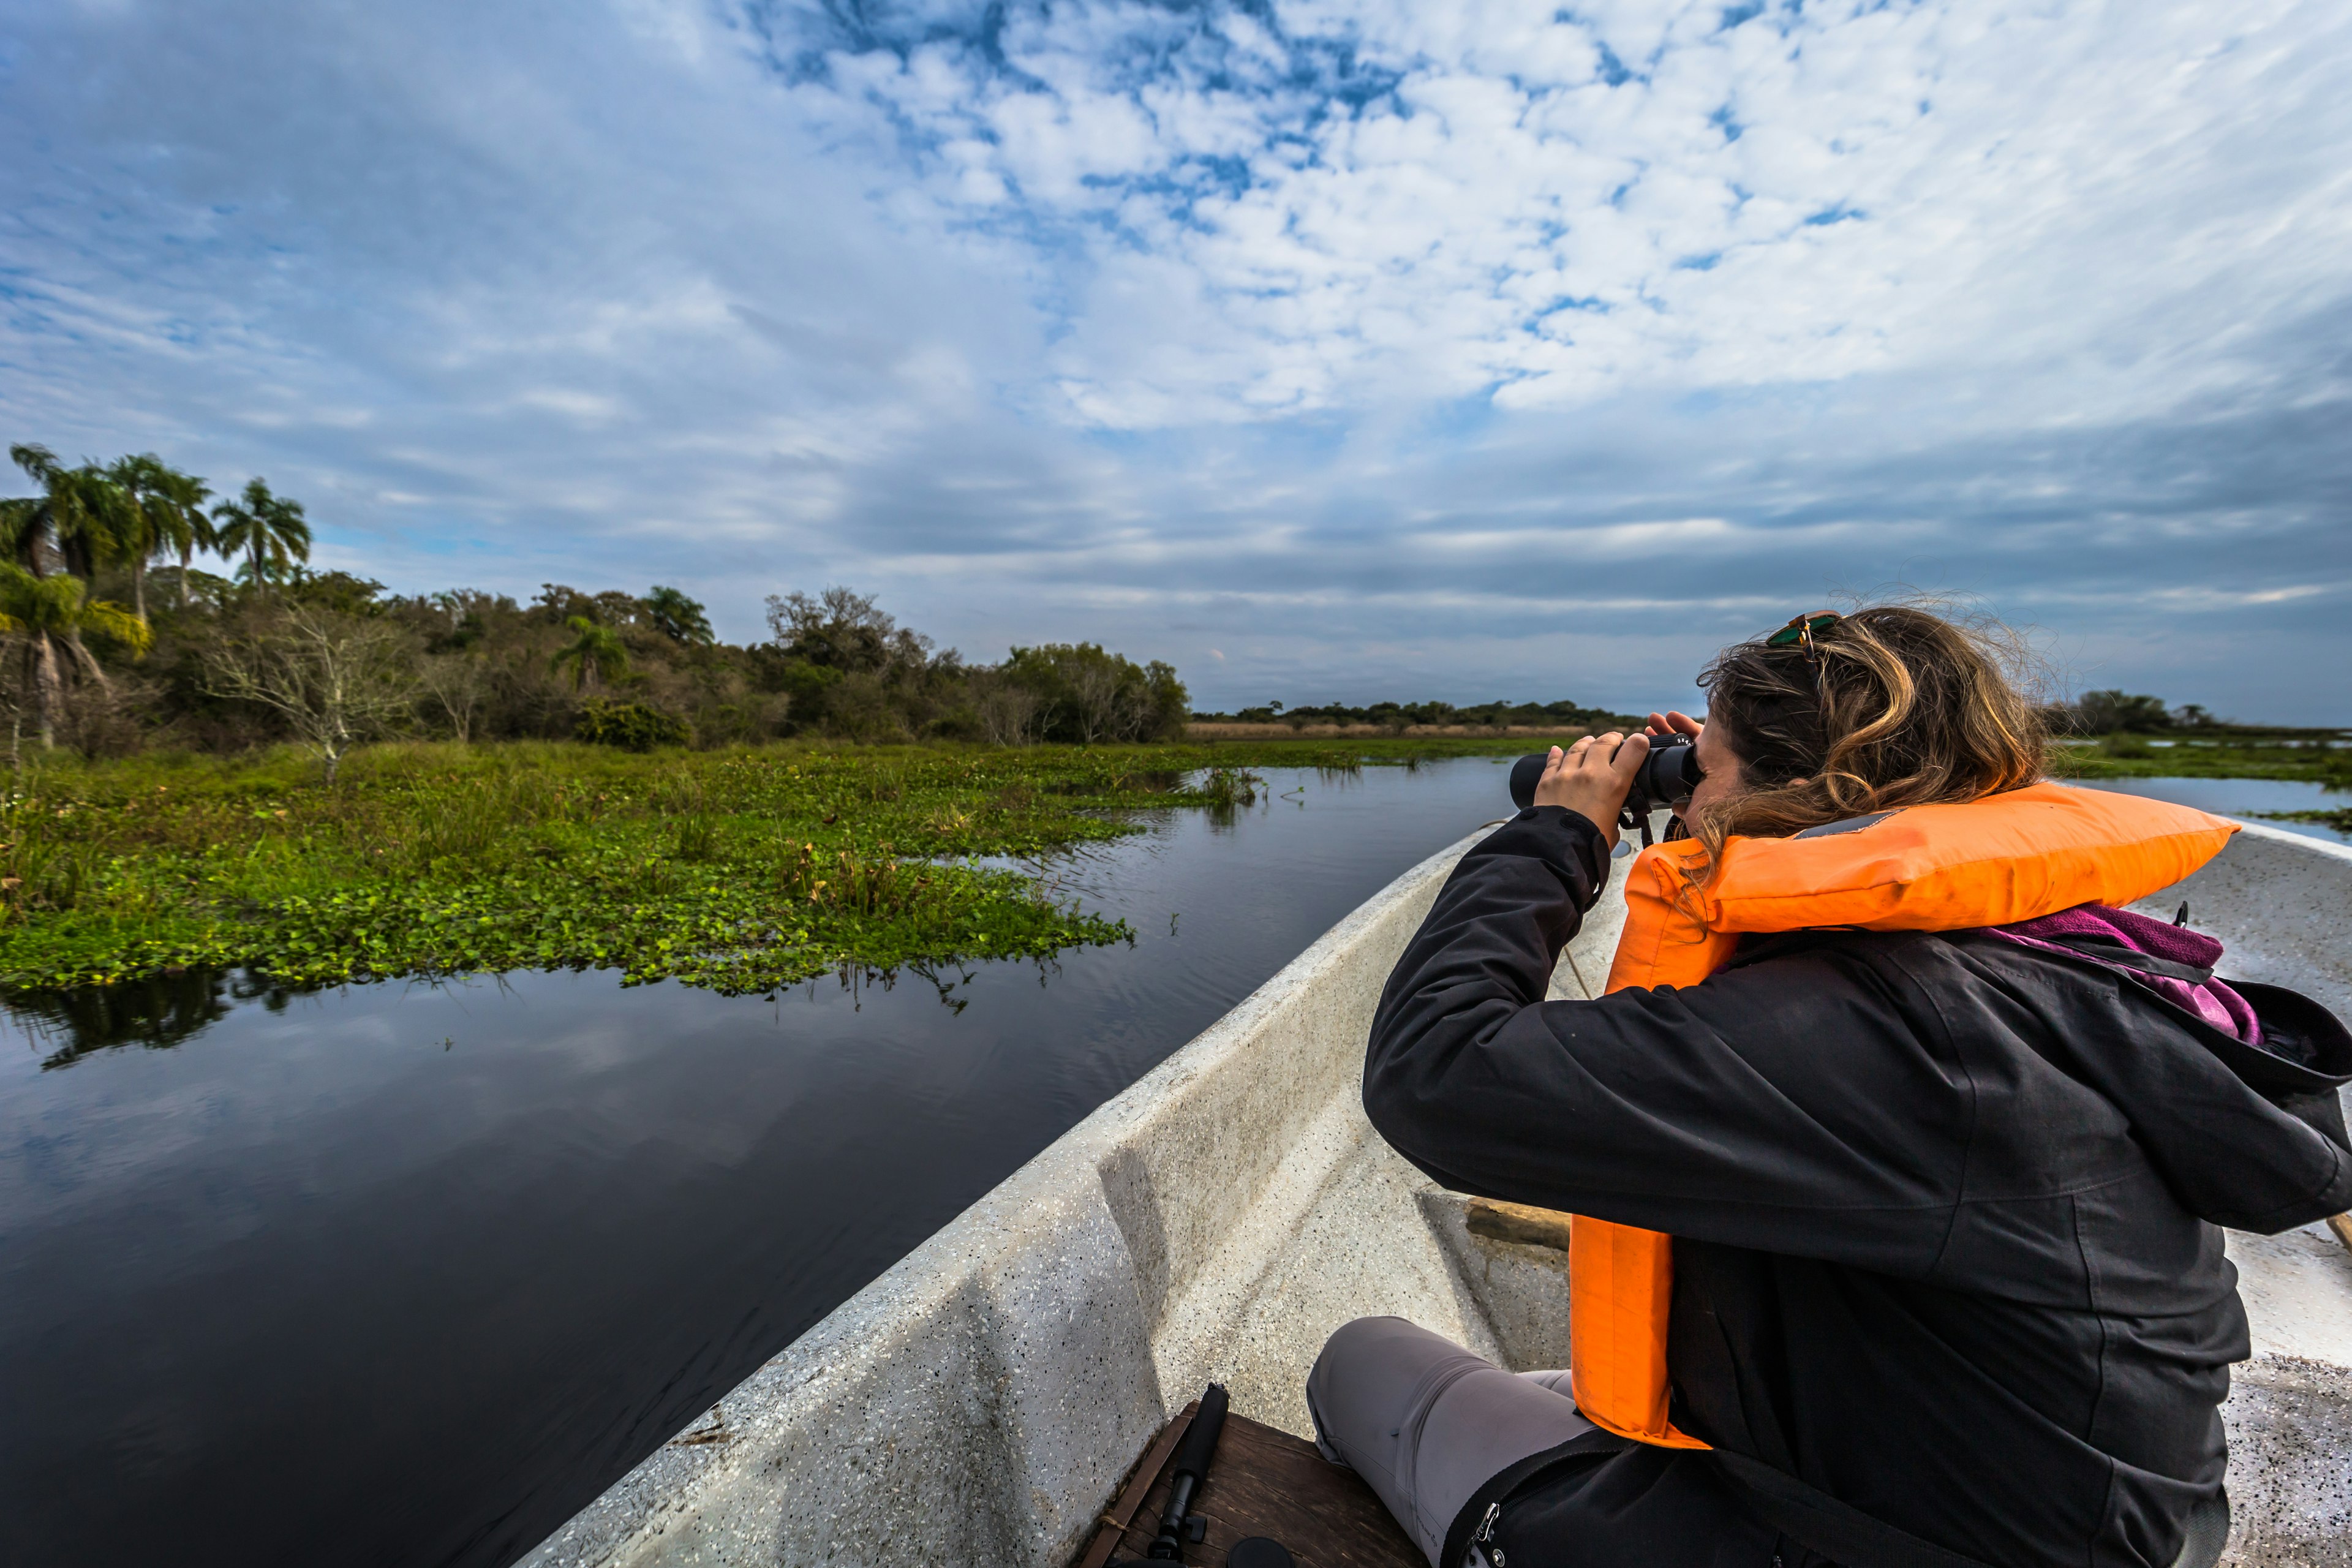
(408, 1275)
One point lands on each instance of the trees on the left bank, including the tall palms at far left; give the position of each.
(116, 641)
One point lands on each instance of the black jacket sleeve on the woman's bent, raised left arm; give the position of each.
(1805, 1104)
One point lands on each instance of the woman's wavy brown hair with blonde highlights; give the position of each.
(1890, 706)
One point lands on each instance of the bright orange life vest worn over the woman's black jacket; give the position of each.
(1930, 869)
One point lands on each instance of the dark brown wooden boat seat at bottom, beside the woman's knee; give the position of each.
(1262, 1482)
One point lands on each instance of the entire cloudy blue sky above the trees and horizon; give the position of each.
(1328, 349)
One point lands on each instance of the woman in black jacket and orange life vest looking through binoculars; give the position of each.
(1897, 1153)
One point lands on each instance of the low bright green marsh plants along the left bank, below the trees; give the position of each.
(742, 869)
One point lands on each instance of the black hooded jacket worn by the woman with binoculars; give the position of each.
(1946, 1212)
